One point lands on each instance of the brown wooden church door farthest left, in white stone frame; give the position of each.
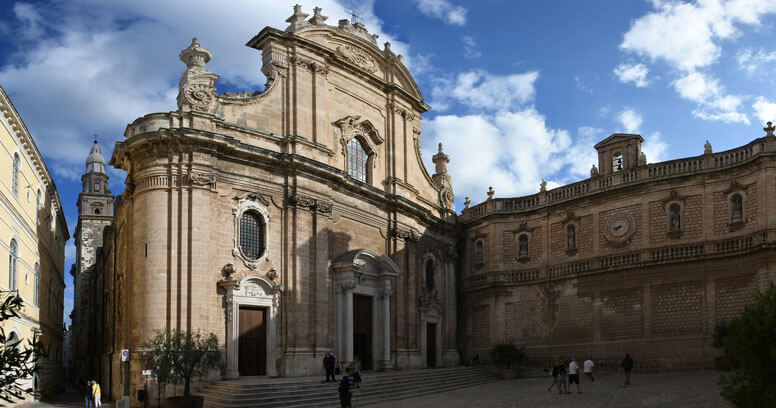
(253, 341)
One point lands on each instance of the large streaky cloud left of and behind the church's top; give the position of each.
(89, 66)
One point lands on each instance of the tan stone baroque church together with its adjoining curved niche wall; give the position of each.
(301, 219)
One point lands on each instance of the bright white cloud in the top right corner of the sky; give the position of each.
(687, 36)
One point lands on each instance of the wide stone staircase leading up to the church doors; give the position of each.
(310, 392)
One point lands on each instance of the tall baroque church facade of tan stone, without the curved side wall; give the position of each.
(289, 222)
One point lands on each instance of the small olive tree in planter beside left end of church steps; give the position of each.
(179, 356)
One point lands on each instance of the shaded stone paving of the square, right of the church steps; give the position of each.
(681, 389)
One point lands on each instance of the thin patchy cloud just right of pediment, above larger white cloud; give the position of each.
(481, 90)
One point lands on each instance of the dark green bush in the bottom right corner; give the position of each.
(749, 342)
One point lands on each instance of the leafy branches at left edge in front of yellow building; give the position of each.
(16, 363)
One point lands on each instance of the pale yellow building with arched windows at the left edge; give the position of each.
(33, 233)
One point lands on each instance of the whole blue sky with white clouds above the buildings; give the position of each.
(520, 91)
